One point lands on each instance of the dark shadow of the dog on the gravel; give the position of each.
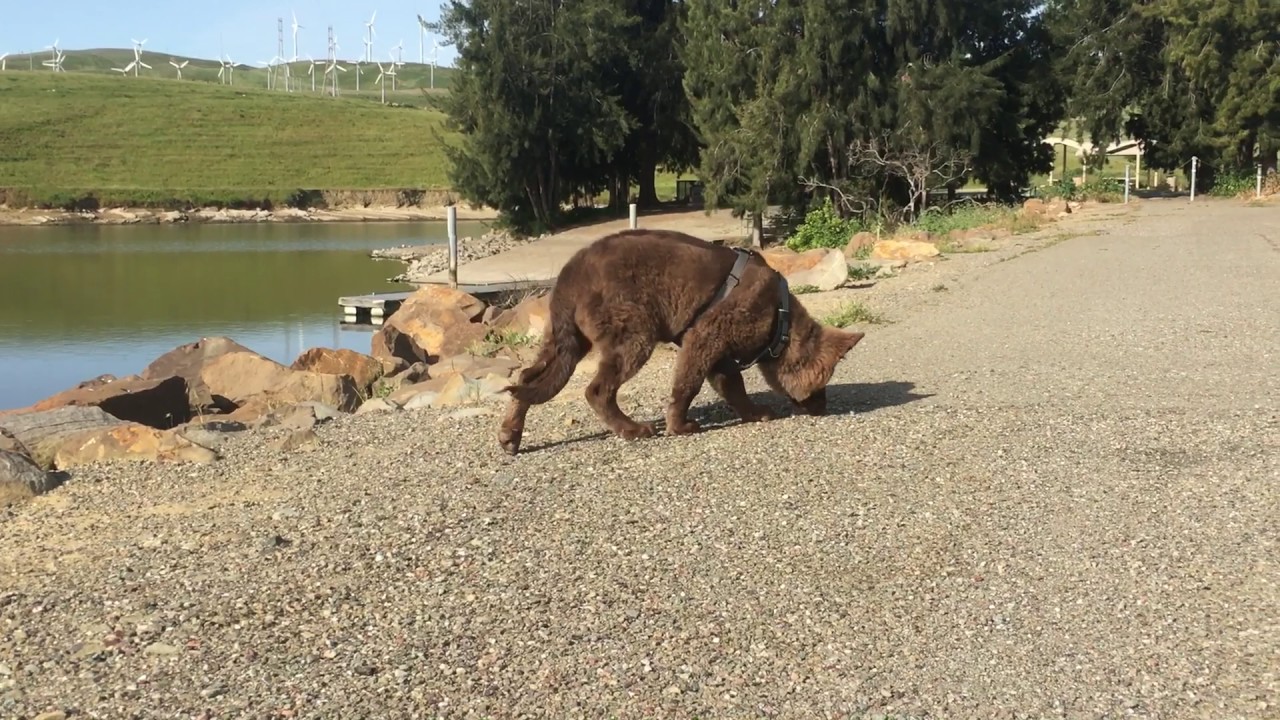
(716, 414)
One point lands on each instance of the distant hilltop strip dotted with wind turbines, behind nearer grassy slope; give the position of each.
(410, 80)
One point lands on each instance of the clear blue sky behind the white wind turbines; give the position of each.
(243, 29)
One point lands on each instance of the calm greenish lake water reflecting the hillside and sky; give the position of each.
(81, 302)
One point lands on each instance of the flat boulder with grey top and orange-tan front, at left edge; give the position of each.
(76, 435)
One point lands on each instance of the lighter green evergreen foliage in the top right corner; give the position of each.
(1188, 78)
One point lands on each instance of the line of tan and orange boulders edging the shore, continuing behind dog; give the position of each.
(441, 349)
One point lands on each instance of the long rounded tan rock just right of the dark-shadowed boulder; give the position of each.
(240, 377)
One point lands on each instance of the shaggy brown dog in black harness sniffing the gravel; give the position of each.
(725, 308)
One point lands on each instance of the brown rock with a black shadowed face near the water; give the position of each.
(154, 403)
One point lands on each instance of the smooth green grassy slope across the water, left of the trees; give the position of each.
(150, 142)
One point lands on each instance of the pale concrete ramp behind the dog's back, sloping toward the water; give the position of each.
(538, 263)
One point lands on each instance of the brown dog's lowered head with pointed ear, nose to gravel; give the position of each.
(806, 368)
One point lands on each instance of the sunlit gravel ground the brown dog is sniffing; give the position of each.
(1050, 493)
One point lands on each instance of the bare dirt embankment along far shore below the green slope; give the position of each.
(19, 208)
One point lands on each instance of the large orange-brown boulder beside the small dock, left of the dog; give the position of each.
(433, 322)
